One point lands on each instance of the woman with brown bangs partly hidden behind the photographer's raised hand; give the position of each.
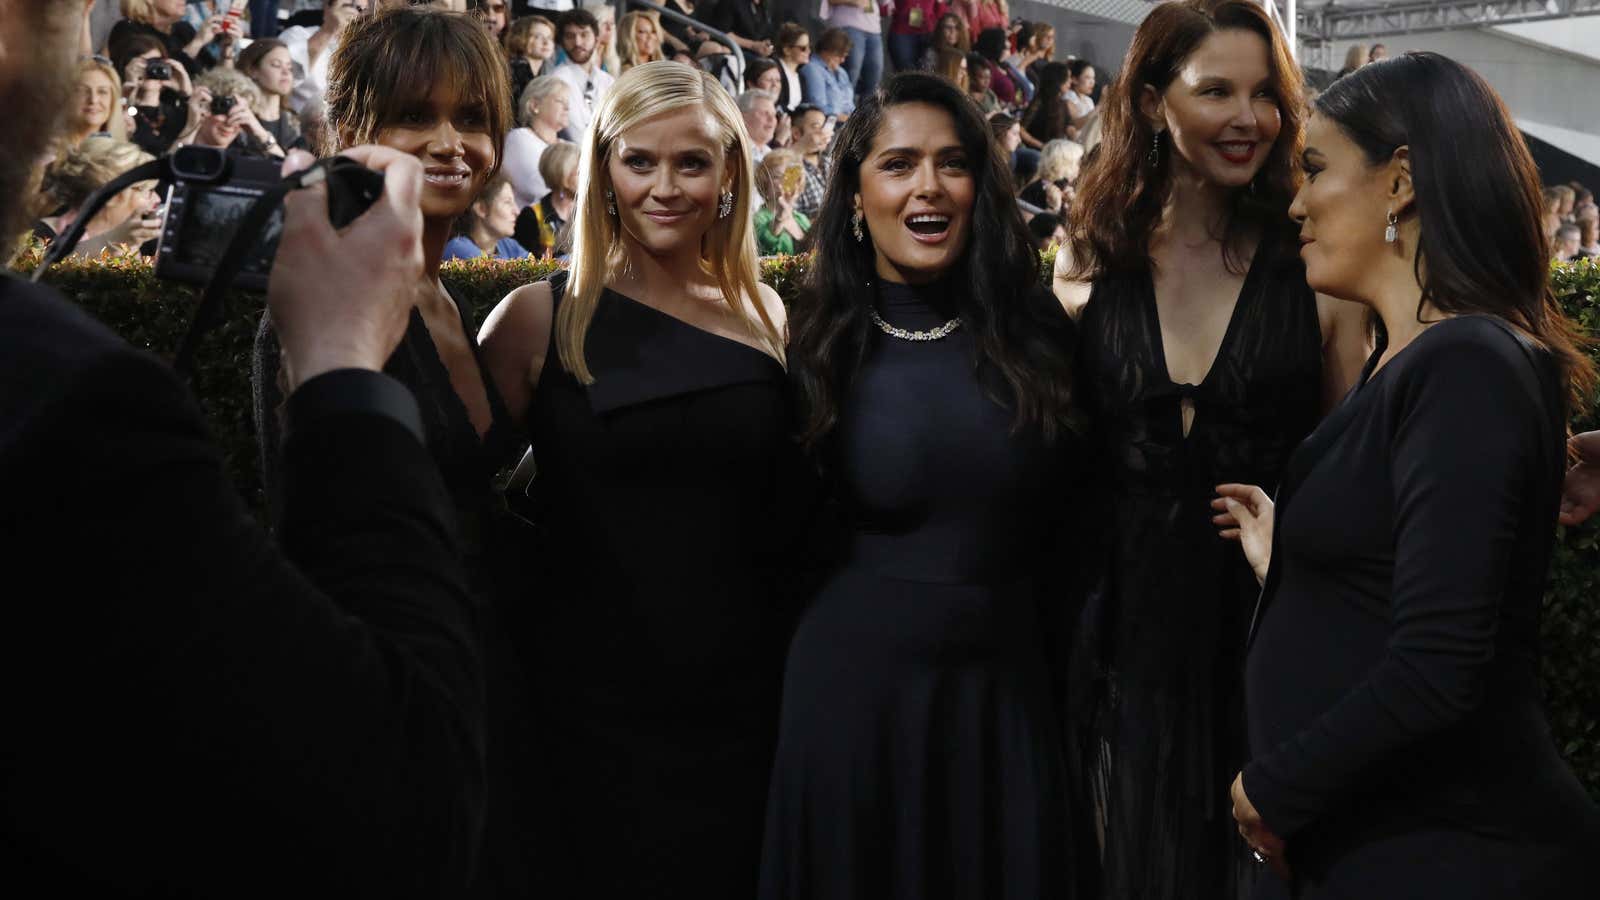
(433, 84)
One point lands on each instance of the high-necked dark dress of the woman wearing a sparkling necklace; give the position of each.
(919, 755)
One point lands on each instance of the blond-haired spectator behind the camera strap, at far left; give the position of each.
(126, 223)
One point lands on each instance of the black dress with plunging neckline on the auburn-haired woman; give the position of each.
(1159, 725)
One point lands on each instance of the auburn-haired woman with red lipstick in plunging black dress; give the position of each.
(1207, 360)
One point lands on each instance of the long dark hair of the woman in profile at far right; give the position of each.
(1481, 247)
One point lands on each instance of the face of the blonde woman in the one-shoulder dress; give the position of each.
(668, 175)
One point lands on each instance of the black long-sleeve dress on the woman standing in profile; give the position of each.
(1396, 725)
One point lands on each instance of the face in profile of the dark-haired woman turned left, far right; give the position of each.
(1343, 209)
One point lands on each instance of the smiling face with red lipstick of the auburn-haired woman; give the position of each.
(1220, 110)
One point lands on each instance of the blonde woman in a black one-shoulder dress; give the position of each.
(652, 384)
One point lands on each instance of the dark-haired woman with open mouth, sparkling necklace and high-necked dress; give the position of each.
(919, 752)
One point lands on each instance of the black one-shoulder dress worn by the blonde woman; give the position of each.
(655, 622)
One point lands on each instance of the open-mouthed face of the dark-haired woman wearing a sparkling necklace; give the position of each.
(918, 191)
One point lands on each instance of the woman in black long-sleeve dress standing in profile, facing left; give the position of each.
(1399, 744)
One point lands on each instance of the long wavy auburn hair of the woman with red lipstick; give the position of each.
(1122, 190)
